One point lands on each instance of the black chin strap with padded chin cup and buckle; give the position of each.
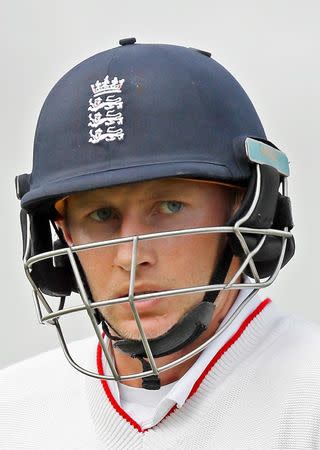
(184, 332)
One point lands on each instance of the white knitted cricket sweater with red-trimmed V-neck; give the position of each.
(260, 391)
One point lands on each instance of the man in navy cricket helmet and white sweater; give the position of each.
(156, 196)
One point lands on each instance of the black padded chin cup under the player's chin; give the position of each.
(181, 334)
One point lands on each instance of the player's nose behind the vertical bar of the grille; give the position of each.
(146, 254)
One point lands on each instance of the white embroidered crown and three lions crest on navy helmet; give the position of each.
(105, 111)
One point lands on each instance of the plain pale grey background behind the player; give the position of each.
(273, 49)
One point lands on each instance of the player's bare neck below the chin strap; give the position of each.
(127, 365)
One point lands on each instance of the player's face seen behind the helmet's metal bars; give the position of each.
(162, 264)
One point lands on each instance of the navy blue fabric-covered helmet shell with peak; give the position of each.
(181, 112)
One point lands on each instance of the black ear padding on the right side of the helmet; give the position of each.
(272, 211)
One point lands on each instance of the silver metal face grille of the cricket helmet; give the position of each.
(48, 314)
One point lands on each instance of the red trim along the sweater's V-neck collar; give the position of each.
(214, 360)
